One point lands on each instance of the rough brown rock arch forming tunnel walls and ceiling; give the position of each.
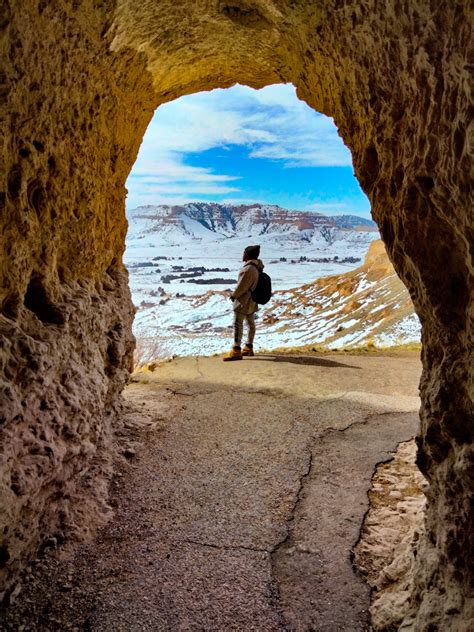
(78, 85)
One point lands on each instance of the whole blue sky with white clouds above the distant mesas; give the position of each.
(243, 146)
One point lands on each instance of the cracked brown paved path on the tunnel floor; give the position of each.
(238, 501)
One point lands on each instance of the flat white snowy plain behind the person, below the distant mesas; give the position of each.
(178, 316)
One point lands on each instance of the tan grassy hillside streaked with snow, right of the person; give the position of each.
(368, 304)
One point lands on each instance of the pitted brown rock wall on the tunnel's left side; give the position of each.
(70, 133)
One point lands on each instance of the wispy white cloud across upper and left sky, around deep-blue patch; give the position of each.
(271, 123)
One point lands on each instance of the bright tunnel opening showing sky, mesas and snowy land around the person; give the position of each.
(220, 170)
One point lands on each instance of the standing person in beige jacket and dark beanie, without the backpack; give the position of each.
(244, 305)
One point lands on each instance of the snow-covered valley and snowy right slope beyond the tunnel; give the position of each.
(177, 316)
